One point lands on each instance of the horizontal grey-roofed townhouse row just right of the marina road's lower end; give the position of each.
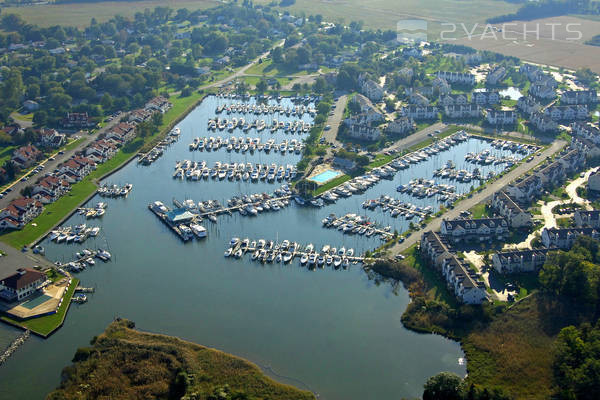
(479, 228)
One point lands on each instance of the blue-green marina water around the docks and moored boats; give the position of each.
(335, 332)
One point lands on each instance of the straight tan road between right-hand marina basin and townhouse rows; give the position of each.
(479, 197)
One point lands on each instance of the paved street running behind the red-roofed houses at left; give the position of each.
(51, 165)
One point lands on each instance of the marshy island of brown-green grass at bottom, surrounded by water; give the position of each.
(128, 364)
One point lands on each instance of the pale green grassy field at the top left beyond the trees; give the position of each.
(80, 14)
